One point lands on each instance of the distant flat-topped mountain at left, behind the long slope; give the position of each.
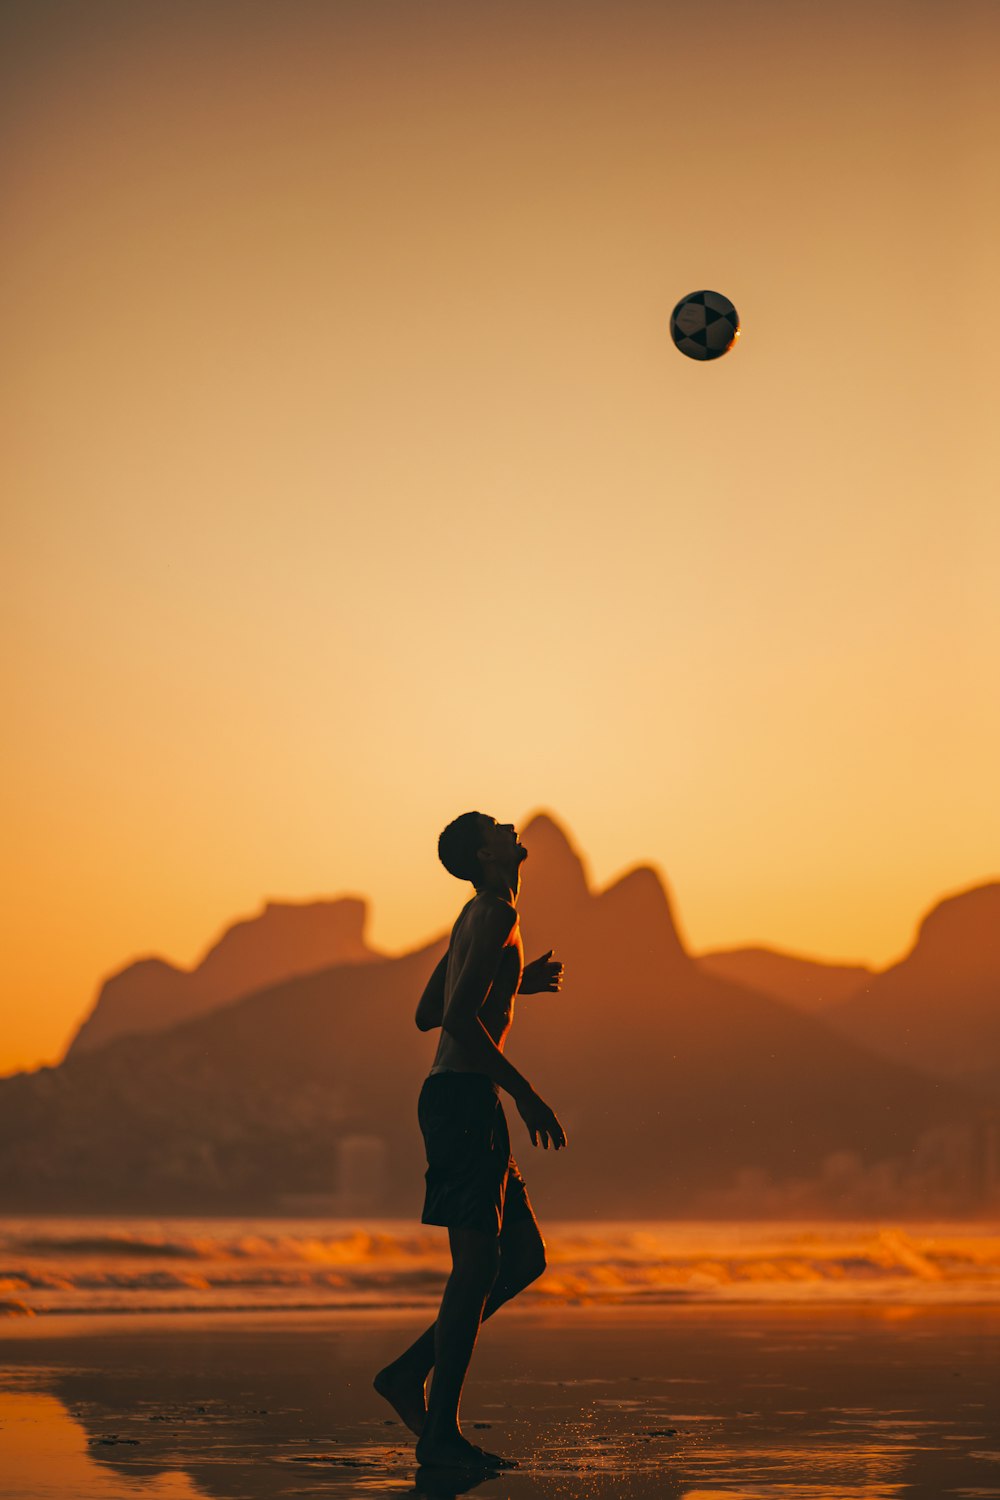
(284, 940)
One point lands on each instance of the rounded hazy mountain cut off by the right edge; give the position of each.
(939, 1009)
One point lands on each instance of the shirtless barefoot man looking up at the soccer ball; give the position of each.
(473, 1184)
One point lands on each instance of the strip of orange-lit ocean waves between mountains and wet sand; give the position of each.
(103, 1265)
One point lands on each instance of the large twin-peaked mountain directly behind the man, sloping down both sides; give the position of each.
(677, 1088)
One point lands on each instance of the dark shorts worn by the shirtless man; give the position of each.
(473, 1181)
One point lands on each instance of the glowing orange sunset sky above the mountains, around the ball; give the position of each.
(352, 479)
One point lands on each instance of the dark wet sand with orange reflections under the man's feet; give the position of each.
(695, 1403)
